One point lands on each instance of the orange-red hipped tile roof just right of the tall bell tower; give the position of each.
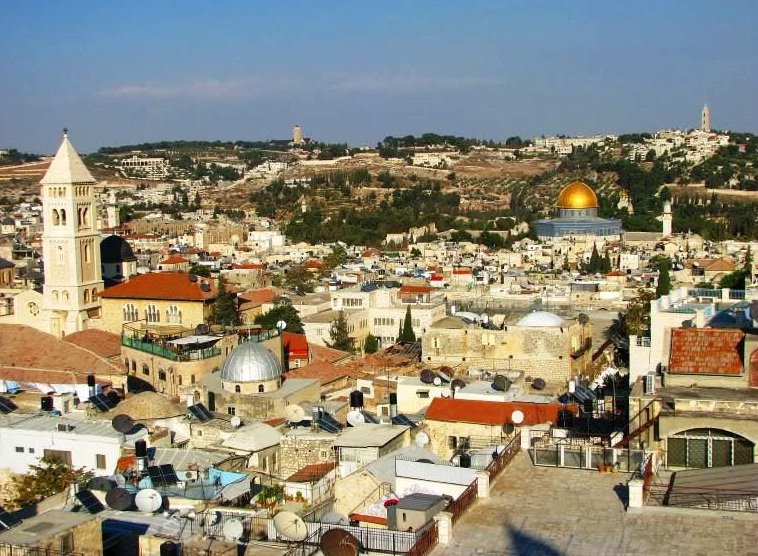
(162, 285)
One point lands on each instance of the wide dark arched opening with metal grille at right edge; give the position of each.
(702, 448)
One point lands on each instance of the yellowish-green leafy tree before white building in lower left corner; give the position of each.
(49, 477)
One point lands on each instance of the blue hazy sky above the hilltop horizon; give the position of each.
(356, 71)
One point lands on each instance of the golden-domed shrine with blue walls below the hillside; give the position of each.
(577, 206)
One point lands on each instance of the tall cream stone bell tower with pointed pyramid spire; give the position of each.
(70, 243)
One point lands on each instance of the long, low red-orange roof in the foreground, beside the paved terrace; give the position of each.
(493, 413)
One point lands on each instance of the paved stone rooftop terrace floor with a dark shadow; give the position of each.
(548, 512)
